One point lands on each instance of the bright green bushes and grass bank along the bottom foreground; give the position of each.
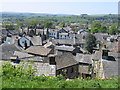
(19, 77)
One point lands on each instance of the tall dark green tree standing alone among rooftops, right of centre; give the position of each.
(90, 42)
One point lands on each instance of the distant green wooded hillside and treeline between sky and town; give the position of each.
(32, 20)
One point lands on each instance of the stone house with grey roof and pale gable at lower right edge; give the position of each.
(105, 64)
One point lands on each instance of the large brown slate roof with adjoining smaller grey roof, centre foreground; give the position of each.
(68, 59)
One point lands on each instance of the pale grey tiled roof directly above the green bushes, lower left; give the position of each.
(41, 68)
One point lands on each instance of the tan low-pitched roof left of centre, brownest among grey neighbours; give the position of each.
(38, 50)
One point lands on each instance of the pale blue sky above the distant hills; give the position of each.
(75, 7)
